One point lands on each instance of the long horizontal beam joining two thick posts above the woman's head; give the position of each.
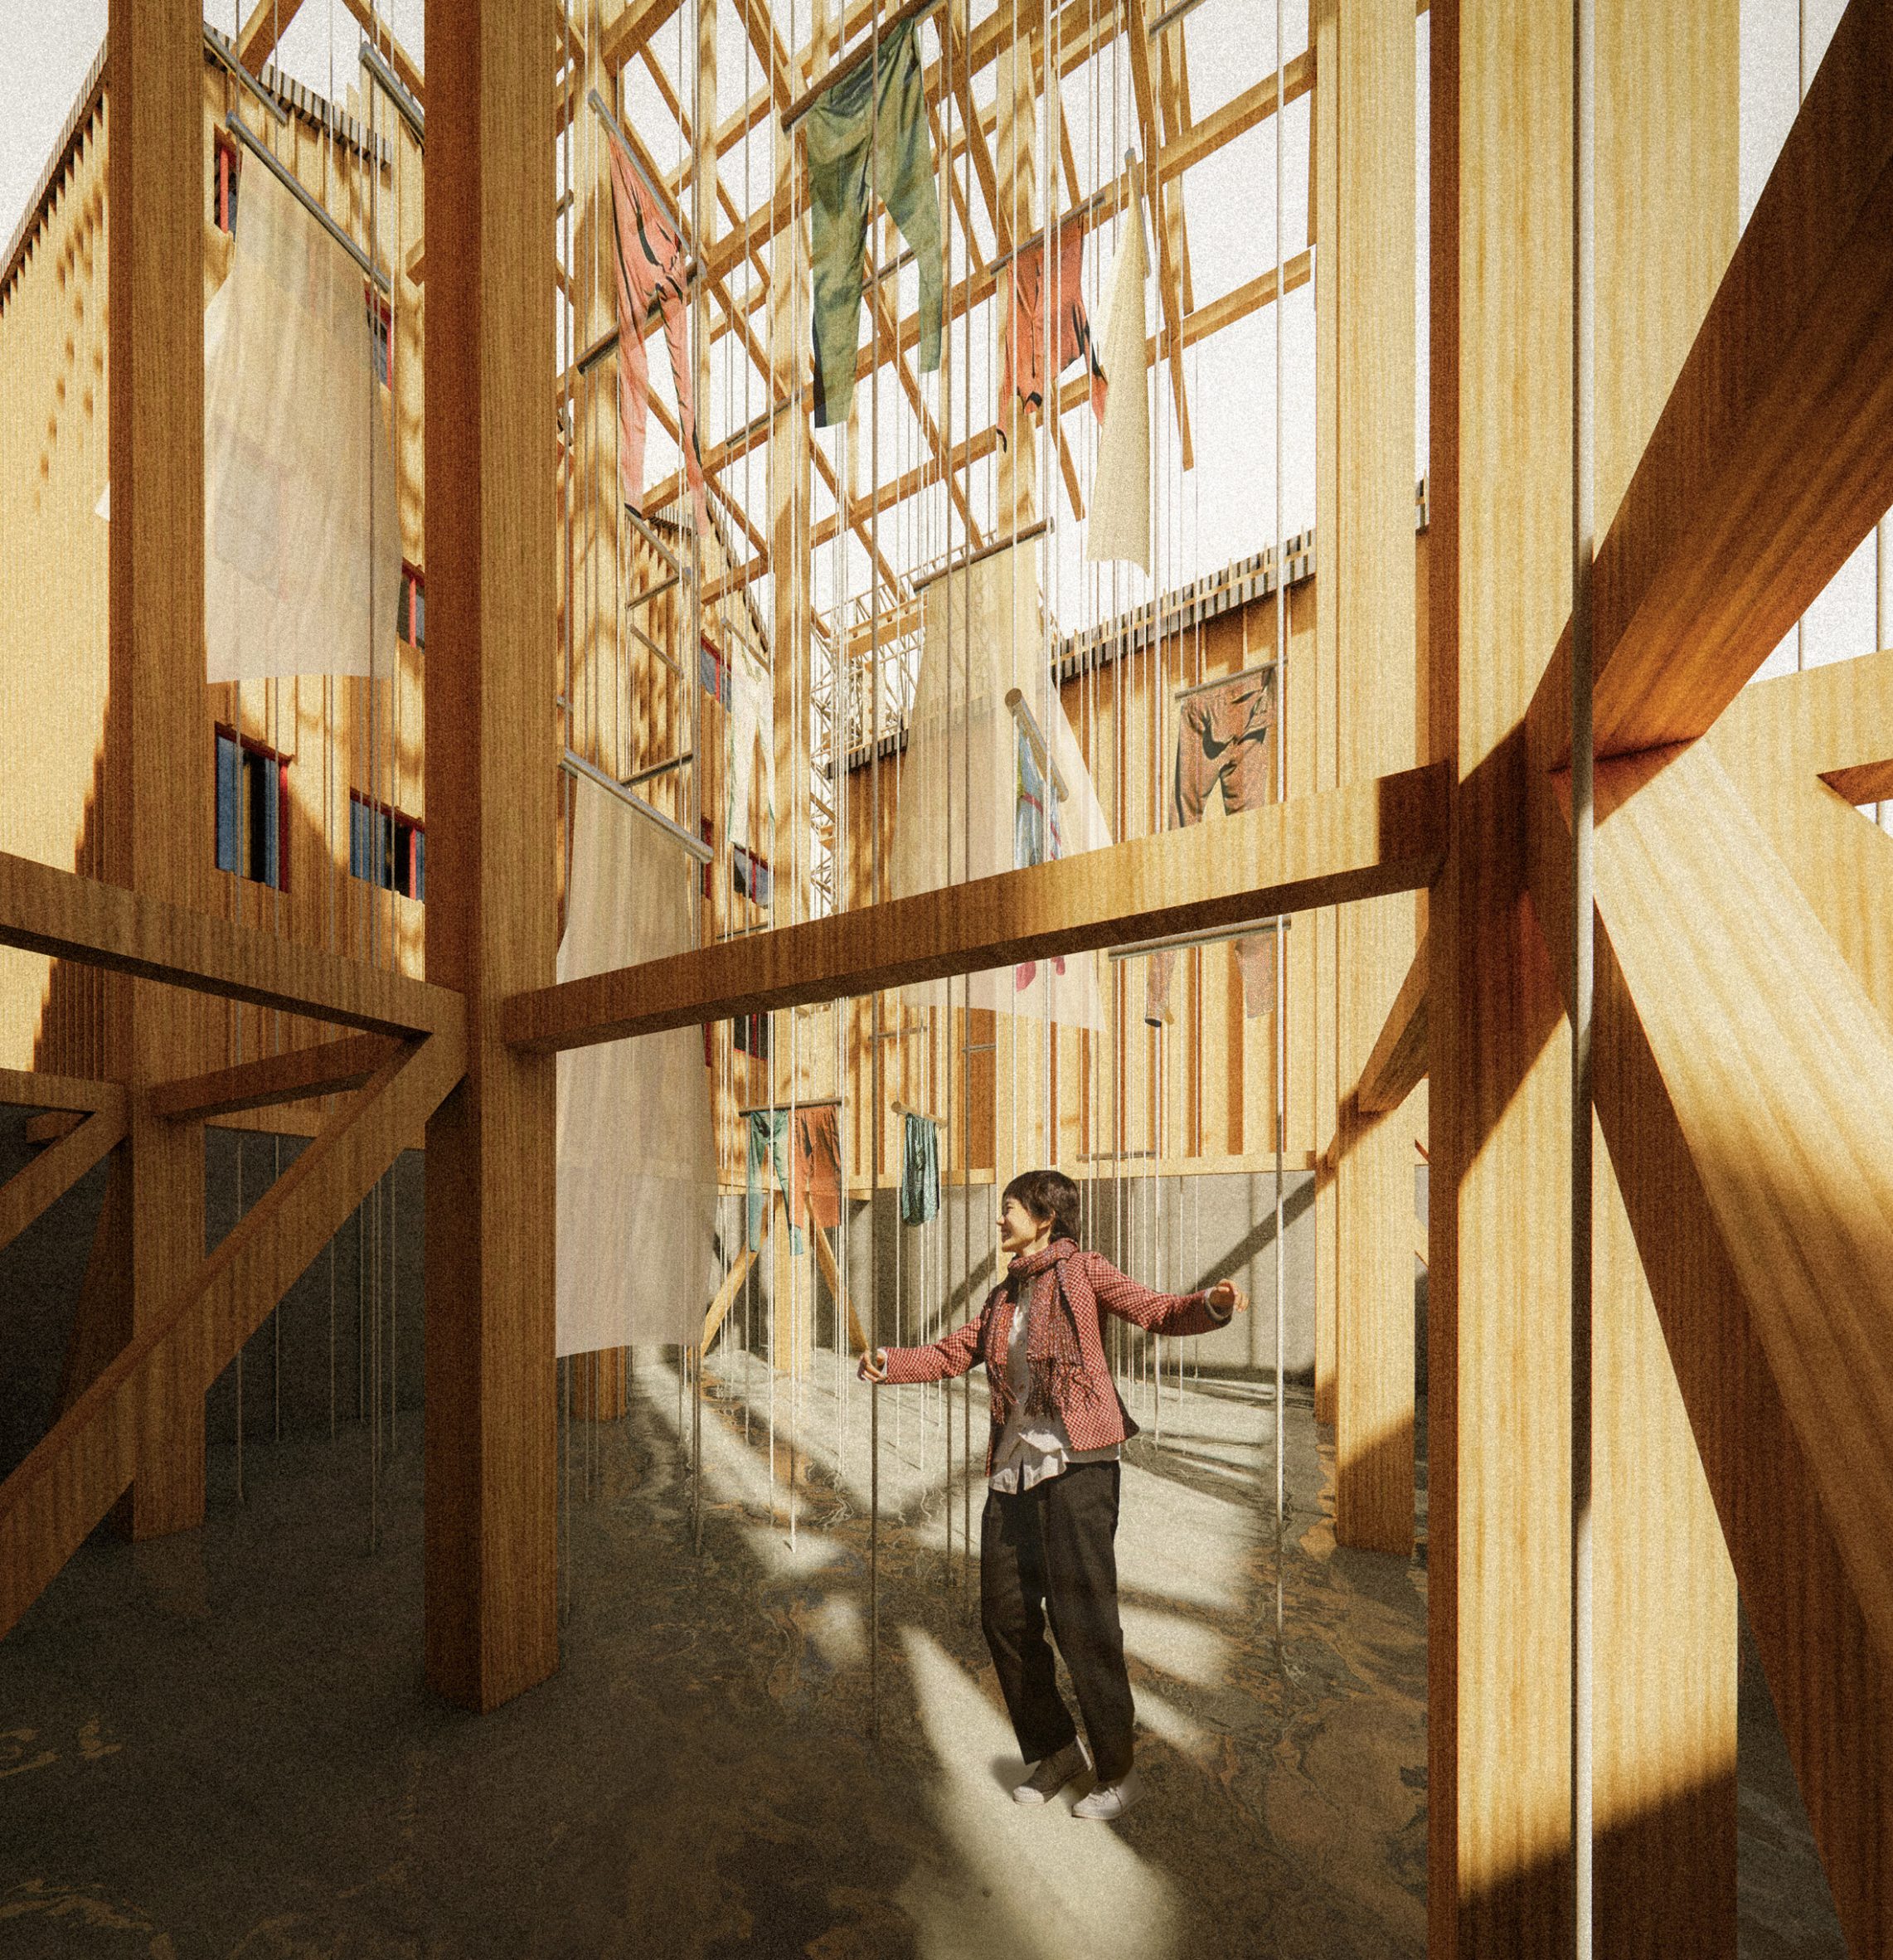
(1359, 842)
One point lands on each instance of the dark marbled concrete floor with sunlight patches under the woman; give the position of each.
(220, 1745)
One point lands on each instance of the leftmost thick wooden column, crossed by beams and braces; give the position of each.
(160, 820)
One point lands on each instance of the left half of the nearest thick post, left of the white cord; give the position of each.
(1498, 1338)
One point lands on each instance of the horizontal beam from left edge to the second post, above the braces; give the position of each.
(72, 918)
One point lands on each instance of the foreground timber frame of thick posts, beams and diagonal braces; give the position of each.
(1747, 1108)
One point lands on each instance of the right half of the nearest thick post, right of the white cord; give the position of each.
(1665, 1587)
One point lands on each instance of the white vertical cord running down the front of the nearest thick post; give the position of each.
(1584, 530)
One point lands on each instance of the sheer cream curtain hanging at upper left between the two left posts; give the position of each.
(303, 552)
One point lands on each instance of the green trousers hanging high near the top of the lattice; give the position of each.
(867, 138)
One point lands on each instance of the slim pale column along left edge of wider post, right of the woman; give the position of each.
(1326, 171)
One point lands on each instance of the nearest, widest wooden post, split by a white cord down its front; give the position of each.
(1500, 1230)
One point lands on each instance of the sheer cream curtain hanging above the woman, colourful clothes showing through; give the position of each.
(959, 812)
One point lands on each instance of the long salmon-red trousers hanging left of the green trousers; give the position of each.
(652, 271)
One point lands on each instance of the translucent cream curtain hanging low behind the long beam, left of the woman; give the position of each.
(638, 1167)
